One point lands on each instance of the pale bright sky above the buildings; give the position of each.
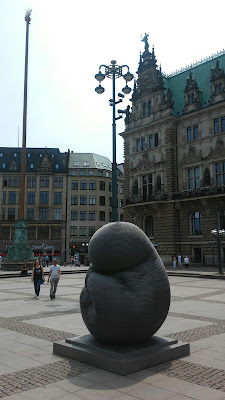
(68, 41)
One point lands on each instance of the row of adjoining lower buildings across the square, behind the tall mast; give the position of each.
(67, 198)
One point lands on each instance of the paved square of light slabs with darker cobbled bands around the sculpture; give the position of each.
(29, 370)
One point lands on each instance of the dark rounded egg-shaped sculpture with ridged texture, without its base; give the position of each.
(126, 296)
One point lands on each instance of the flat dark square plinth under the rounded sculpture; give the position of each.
(121, 360)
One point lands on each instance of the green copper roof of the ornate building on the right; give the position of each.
(201, 72)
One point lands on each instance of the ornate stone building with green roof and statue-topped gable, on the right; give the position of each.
(174, 145)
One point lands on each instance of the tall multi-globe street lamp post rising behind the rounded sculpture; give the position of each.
(114, 71)
